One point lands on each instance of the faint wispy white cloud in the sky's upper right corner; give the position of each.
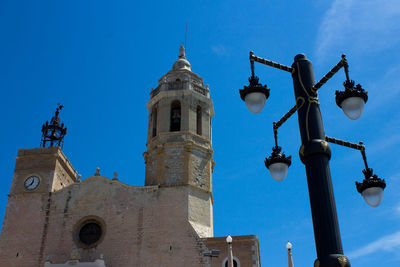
(359, 25)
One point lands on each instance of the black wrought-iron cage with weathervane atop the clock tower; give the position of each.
(53, 133)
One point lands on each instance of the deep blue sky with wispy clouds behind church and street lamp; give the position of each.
(100, 59)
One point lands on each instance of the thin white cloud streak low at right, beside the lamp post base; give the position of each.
(387, 243)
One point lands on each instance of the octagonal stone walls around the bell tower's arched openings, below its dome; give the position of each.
(167, 161)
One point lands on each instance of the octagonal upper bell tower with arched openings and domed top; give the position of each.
(179, 150)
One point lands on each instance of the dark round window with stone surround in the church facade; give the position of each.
(89, 232)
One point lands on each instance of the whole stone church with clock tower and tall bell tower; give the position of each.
(55, 218)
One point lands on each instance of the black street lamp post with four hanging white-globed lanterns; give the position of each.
(315, 152)
